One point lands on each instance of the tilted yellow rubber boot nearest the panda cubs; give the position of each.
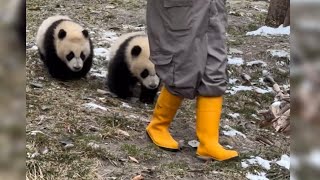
(163, 114)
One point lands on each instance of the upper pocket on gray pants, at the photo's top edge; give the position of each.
(178, 14)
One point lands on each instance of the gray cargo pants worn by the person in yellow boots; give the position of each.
(188, 45)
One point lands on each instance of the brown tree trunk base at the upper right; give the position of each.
(278, 13)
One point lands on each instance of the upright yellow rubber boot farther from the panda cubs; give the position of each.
(208, 120)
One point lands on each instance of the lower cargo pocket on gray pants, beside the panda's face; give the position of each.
(164, 68)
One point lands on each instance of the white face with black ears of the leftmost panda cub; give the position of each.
(73, 48)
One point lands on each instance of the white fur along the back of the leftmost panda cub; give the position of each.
(43, 29)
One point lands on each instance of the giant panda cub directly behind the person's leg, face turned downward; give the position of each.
(129, 65)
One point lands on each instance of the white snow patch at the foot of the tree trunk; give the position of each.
(266, 31)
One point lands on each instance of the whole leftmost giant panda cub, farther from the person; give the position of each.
(65, 48)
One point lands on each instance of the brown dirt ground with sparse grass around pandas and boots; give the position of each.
(99, 151)
